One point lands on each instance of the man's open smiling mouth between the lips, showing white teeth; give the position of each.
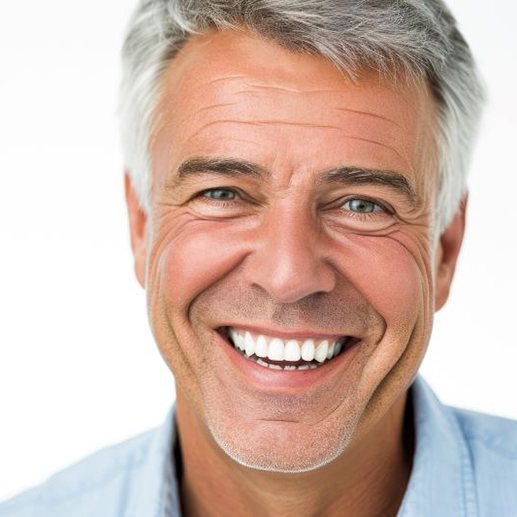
(291, 354)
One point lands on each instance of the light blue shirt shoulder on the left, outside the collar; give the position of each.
(98, 481)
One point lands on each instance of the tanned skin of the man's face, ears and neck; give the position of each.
(285, 253)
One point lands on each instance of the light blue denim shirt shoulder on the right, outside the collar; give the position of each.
(492, 445)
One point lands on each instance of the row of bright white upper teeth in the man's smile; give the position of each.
(277, 349)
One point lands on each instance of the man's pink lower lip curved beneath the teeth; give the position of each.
(264, 377)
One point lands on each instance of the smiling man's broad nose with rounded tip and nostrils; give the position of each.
(288, 261)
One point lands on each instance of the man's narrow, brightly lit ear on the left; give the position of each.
(137, 229)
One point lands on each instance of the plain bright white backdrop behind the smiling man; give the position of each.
(78, 365)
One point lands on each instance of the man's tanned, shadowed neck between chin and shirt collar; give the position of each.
(368, 479)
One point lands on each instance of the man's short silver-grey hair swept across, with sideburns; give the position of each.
(415, 39)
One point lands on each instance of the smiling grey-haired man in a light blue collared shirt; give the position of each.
(296, 198)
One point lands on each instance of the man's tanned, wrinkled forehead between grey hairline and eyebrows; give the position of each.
(235, 94)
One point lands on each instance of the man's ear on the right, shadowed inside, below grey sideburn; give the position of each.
(447, 253)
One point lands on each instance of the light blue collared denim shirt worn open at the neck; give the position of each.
(465, 465)
